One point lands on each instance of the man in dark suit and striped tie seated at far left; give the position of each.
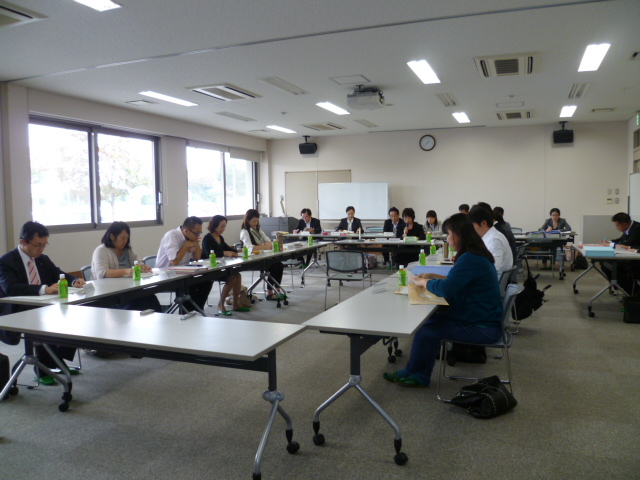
(26, 271)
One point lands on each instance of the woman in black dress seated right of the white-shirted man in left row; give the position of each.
(214, 242)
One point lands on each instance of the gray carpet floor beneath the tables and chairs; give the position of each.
(576, 378)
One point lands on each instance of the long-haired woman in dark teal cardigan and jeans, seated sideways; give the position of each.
(475, 306)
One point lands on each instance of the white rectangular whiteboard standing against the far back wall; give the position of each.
(371, 200)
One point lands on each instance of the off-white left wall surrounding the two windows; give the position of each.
(71, 251)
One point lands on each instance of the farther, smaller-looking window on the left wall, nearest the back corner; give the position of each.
(217, 183)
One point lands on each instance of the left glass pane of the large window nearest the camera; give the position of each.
(60, 183)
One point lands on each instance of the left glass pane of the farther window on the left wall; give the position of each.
(204, 178)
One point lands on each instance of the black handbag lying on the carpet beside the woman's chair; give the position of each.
(487, 398)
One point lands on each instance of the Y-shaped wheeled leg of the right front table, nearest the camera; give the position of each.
(357, 347)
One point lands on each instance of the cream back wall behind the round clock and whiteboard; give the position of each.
(517, 168)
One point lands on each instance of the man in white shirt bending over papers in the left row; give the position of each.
(181, 246)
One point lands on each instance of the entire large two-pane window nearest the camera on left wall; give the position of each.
(88, 176)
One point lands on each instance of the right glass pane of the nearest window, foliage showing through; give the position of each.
(126, 169)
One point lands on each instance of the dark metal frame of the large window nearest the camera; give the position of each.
(94, 181)
